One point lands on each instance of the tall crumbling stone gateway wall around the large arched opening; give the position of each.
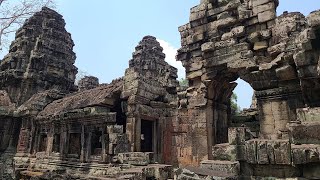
(277, 56)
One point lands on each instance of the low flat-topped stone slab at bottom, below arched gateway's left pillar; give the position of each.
(221, 168)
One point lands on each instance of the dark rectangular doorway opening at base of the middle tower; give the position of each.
(147, 136)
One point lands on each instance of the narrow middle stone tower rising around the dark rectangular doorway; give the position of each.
(150, 94)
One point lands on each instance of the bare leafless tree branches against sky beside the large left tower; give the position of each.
(13, 13)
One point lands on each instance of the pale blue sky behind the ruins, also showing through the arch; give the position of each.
(106, 32)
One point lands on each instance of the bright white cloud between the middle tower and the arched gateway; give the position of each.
(171, 52)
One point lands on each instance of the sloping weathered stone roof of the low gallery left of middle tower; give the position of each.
(104, 95)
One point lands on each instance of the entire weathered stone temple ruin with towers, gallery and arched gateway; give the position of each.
(144, 125)
